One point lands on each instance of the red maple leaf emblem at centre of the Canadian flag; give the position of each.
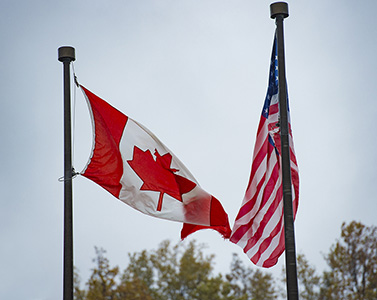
(158, 176)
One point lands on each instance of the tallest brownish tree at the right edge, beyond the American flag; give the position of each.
(353, 265)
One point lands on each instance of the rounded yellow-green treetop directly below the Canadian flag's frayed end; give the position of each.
(171, 272)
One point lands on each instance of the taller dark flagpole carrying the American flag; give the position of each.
(279, 11)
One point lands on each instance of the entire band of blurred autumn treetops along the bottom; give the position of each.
(182, 271)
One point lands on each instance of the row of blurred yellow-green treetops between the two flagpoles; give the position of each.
(179, 272)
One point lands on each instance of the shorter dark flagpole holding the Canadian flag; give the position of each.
(66, 55)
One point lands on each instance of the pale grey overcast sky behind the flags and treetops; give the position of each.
(195, 73)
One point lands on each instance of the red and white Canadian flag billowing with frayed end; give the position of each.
(132, 164)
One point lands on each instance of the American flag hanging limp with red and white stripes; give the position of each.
(259, 226)
